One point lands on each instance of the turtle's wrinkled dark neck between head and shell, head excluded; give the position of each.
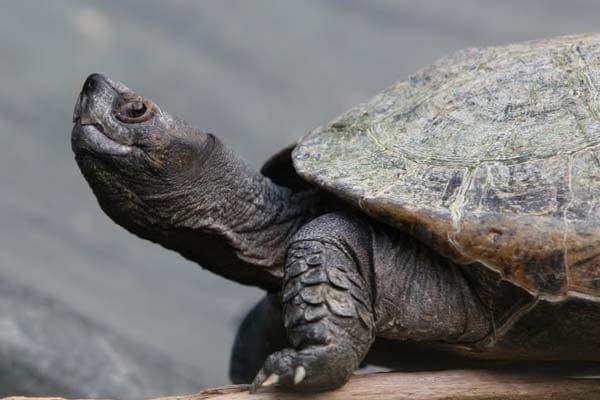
(234, 221)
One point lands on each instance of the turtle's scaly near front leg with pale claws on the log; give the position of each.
(327, 307)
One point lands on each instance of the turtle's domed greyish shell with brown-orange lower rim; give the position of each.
(491, 156)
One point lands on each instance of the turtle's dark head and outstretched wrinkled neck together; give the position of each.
(165, 181)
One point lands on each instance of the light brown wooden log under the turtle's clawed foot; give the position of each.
(439, 385)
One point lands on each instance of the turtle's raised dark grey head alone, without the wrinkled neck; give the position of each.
(133, 154)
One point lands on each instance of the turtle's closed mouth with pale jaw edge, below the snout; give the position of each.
(91, 137)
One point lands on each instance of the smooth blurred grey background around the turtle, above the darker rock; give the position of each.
(256, 73)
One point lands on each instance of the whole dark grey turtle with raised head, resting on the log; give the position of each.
(458, 210)
